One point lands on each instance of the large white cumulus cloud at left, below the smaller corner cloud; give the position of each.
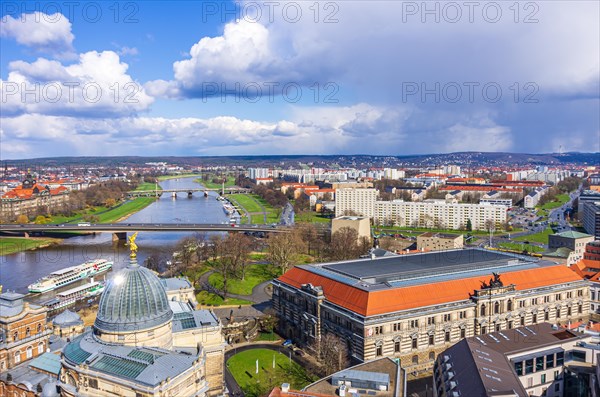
(96, 86)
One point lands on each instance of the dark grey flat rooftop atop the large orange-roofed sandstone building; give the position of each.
(405, 267)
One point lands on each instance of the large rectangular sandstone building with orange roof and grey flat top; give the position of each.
(412, 307)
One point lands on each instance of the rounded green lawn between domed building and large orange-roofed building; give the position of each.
(243, 368)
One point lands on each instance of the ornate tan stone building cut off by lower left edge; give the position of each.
(23, 330)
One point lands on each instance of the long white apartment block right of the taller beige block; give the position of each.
(438, 213)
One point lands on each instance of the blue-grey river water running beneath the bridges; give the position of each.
(19, 270)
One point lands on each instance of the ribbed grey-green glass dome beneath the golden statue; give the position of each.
(133, 300)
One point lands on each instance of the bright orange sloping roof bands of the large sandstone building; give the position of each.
(404, 298)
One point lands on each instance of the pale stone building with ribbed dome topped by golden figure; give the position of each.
(143, 344)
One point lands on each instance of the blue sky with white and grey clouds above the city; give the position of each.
(298, 77)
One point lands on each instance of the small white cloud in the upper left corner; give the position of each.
(42, 32)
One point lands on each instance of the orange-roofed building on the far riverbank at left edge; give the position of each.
(30, 198)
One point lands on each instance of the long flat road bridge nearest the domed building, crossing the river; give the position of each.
(120, 230)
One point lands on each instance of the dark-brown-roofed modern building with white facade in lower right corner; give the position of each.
(540, 360)
